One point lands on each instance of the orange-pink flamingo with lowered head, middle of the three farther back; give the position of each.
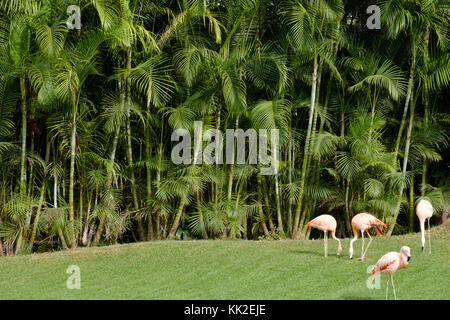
(362, 222)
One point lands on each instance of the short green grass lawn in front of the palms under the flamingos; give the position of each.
(227, 270)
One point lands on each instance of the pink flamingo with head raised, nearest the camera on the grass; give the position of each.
(391, 262)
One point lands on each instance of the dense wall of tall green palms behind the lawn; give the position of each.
(86, 117)
